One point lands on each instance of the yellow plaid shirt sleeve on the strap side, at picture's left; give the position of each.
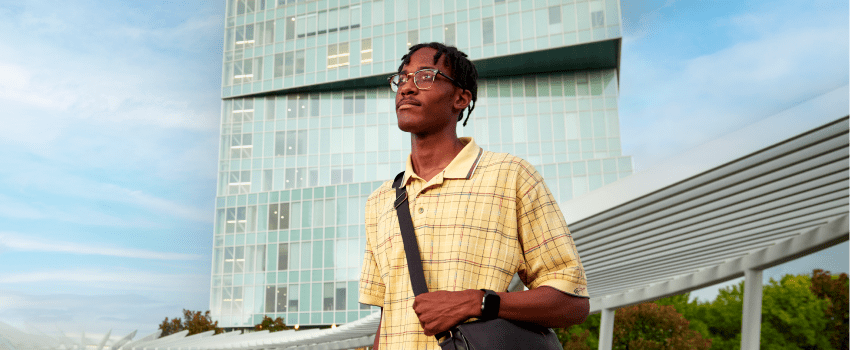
(372, 287)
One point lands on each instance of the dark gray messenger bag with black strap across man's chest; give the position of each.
(493, 334)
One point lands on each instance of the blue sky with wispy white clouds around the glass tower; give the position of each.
(109, 136)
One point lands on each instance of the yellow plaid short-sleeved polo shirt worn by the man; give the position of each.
(483, 218)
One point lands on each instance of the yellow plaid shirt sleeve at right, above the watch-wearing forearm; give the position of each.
(551, 257)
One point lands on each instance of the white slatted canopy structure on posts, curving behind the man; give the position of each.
(730, 208)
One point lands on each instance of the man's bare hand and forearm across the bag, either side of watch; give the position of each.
(441, 310)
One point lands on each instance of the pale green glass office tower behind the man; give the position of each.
(308, 129)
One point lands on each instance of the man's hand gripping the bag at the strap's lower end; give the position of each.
(439, 311)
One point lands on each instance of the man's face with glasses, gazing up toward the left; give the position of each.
(427, 111)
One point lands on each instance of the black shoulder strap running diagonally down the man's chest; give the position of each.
(408, 236)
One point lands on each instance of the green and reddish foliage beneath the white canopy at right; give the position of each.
(798, 312)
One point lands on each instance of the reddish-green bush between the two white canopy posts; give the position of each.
(653, 326)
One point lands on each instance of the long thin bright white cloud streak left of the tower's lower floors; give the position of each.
(19, 242)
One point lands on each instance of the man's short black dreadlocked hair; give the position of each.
(463, 70)
